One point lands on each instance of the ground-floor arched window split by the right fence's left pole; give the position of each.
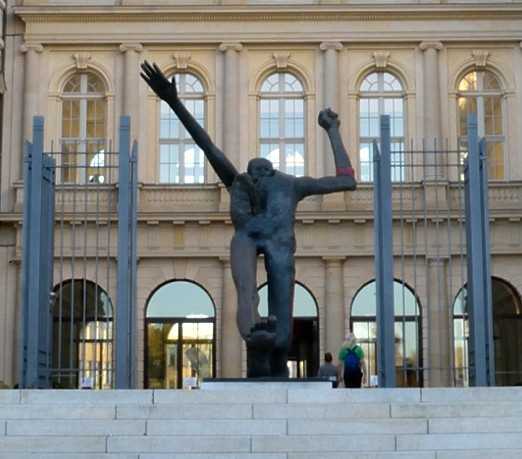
(408, 339)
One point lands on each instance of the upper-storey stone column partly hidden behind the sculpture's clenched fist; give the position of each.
(330, 93)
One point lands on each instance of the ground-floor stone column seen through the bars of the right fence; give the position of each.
(438, 313)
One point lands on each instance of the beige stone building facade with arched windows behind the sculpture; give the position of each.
(427, 61)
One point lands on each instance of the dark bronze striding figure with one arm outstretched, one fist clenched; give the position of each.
(263, 205)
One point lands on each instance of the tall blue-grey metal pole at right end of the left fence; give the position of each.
(123, 304)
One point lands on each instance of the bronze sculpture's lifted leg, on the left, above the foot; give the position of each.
(243, 262)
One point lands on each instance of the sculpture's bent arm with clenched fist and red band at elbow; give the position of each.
(344, 179)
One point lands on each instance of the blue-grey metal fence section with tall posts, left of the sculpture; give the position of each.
(87, 299)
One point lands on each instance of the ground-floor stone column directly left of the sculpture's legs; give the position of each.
(231, 341)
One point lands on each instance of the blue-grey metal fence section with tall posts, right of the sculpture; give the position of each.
(432, 243)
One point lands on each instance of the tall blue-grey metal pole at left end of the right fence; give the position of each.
(384, 258)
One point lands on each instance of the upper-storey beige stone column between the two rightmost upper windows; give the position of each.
(431, 89)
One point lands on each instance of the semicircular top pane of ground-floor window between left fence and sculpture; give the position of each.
(180, 299)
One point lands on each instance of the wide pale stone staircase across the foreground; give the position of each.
(262, 423)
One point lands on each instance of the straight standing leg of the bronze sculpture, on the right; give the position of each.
(280, 267)
